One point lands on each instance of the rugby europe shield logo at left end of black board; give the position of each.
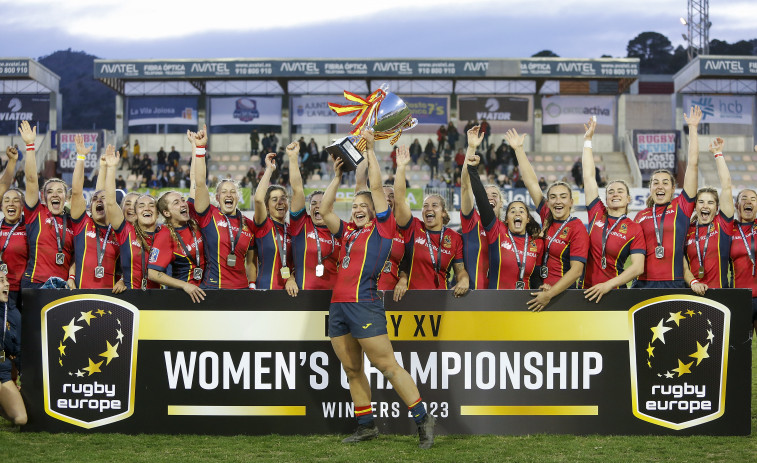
(89, 359)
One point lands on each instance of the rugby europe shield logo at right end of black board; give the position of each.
(678, 357)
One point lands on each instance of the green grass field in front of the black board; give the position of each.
(29, 447)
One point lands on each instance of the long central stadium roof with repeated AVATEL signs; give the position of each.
(303, 76)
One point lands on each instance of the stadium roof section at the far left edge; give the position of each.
(24, 75)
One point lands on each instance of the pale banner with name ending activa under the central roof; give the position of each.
(558, 110)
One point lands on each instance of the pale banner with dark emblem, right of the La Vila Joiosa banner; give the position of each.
(245, 110)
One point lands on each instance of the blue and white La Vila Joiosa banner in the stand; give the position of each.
(180, 110)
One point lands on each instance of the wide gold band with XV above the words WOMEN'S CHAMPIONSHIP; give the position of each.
(174, 325)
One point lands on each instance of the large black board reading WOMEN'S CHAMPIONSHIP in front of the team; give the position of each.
(643, 362)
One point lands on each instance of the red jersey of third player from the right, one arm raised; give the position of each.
(677, 218)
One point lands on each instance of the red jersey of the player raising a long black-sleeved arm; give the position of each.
(503, 263)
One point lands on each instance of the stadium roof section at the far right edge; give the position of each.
(718, 74)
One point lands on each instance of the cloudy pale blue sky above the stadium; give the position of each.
(144, 29)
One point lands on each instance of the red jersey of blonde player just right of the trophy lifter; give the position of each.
(422, 273)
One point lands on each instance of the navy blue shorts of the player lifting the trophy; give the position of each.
(361, 319)
